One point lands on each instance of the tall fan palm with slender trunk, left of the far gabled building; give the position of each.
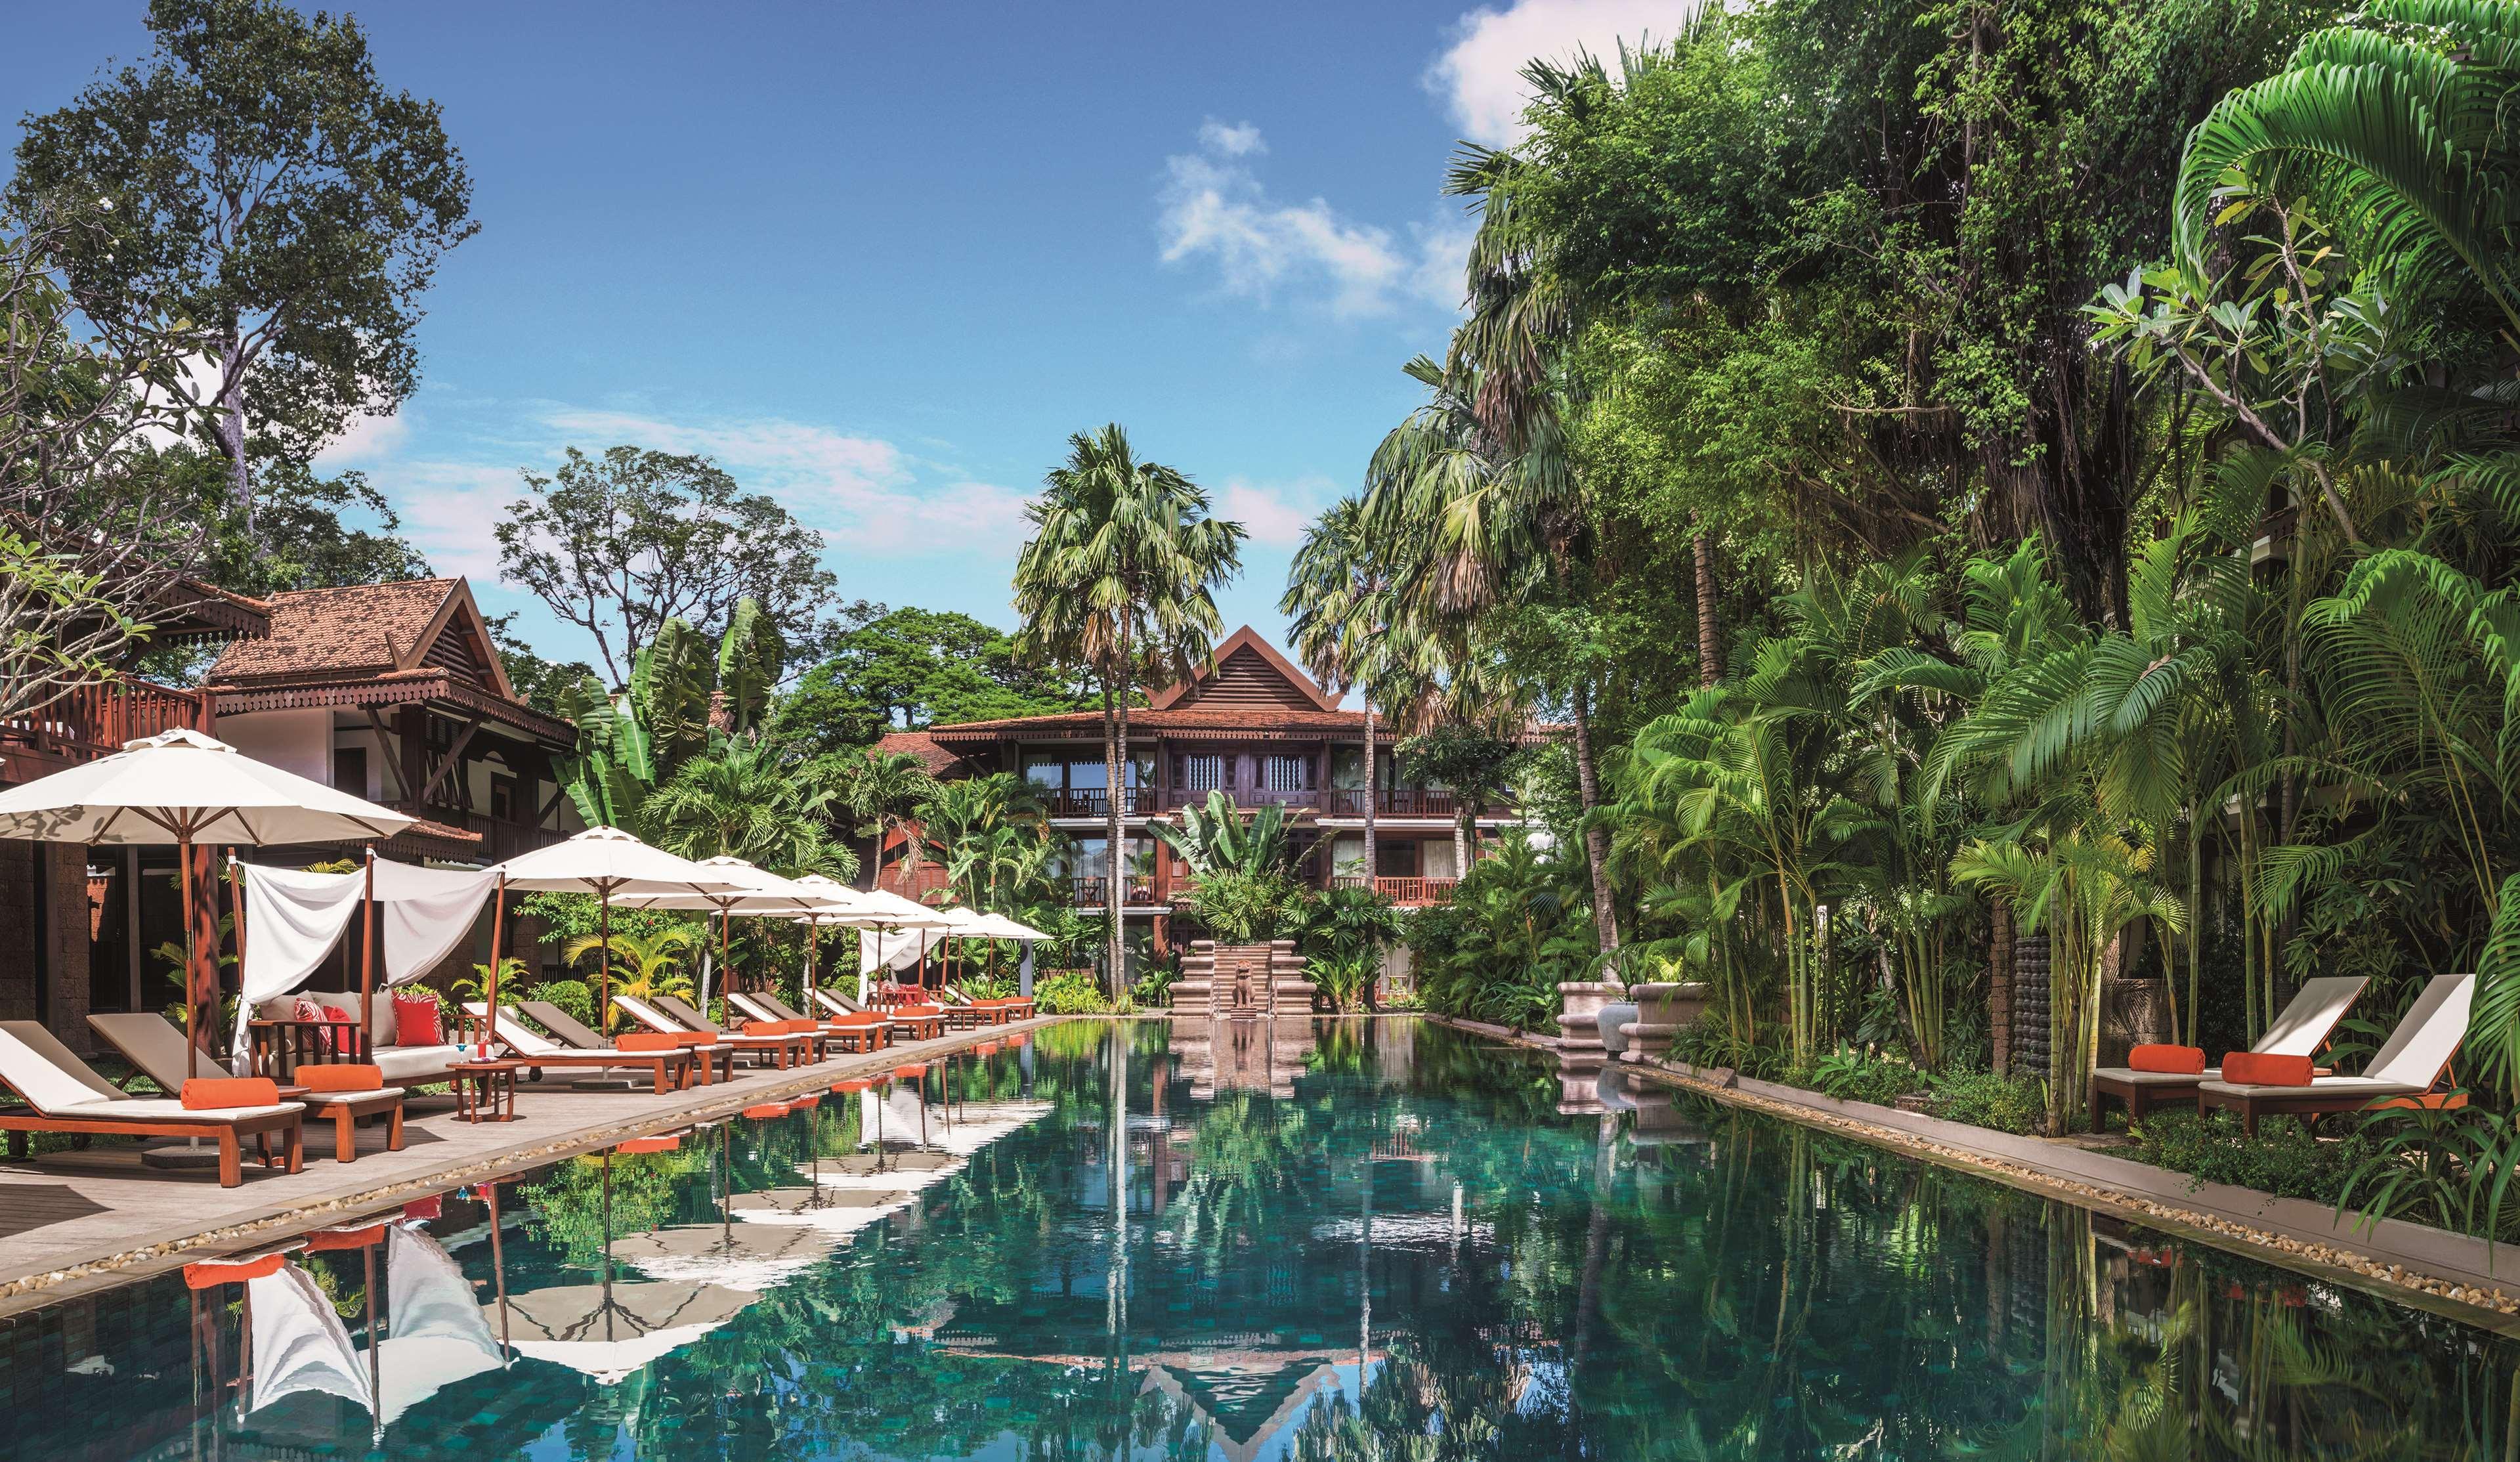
(1120, 581)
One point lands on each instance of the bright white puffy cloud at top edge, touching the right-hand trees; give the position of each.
(1480, 74)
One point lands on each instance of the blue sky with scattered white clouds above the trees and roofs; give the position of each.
(881, 261)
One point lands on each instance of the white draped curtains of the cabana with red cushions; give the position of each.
(294, 919)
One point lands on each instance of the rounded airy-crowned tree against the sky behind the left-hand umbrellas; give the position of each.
(624, 543)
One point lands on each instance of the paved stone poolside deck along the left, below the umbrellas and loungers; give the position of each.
(228, 1221)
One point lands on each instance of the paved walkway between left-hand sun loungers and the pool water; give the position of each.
(77, 1221)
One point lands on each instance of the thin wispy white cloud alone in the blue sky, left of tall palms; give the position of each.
(1213, 208)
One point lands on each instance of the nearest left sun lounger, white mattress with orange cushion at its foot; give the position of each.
(67, 1095)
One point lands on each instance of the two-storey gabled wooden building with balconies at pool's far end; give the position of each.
(1249, 725)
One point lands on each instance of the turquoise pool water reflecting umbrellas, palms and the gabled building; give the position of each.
(1249, 1241)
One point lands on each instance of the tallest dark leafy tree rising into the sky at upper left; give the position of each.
(261, 180)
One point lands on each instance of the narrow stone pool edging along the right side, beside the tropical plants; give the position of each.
(2451, 1274)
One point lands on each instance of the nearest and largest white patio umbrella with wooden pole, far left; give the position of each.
(185, 788)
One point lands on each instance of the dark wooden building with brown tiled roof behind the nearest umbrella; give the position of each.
(392, 692)
